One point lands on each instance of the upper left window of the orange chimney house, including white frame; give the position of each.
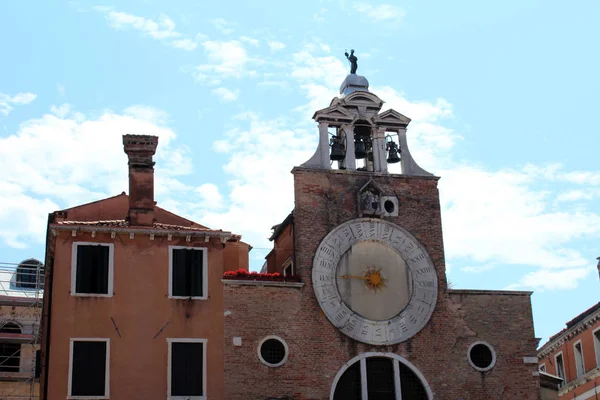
(92, 269)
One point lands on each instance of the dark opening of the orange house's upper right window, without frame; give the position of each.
(187, 273)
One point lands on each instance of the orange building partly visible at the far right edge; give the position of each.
(573, 354)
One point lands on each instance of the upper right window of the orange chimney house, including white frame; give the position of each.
(188, 273)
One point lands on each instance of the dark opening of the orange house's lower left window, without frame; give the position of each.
(88, 374)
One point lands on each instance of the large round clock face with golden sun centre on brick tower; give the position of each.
(374, 281)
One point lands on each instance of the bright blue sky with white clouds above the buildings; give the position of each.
(503, 98)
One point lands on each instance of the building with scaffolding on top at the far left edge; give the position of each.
(21, 293)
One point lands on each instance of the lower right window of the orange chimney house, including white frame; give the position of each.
(187, 369)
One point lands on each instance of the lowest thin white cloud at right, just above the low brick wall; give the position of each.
(545, 279)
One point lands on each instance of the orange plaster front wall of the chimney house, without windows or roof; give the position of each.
(140, 307)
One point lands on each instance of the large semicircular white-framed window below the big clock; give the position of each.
(380, 376)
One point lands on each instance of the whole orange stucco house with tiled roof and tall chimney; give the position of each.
(134, 295)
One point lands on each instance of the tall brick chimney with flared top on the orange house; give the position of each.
(139, 150)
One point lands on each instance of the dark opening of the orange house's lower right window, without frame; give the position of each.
(186, 369)
